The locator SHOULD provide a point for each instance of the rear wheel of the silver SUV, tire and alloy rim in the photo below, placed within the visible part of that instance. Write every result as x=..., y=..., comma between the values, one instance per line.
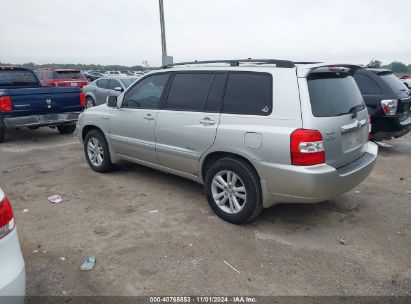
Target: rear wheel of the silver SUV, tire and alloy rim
x=233, y=190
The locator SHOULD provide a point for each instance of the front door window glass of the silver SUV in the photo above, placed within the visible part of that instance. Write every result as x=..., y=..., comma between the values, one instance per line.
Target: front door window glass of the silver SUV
x=146, y=93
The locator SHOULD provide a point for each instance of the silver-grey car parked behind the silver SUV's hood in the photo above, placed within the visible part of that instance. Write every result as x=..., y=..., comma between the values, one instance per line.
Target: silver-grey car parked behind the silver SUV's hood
x=97, y=91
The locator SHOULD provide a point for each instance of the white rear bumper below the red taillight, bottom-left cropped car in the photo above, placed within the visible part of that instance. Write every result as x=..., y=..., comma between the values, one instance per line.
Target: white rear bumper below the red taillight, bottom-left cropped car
x=12, y=274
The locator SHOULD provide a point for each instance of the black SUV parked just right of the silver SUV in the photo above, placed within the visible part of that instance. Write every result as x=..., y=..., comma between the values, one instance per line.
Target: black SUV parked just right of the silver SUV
x=388, y=102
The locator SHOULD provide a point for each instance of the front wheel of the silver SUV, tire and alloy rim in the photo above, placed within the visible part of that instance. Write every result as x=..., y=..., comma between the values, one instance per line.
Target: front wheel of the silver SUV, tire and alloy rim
x=97, y=152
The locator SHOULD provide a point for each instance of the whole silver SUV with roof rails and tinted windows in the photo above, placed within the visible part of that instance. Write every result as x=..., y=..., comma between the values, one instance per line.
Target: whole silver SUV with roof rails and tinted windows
x=254, y=132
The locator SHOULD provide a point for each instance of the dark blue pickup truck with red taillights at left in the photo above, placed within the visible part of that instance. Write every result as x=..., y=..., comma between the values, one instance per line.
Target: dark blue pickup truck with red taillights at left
x=25, y=103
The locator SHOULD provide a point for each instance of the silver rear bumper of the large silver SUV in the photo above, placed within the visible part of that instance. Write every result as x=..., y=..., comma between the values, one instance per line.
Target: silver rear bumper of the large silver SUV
x=312, y=184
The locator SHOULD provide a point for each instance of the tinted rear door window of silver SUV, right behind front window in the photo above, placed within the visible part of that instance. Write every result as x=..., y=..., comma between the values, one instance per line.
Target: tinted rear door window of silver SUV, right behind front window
x=189, y=91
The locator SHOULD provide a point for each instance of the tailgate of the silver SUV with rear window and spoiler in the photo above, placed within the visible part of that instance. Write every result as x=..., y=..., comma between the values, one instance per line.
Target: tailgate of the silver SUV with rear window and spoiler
x=332, y=104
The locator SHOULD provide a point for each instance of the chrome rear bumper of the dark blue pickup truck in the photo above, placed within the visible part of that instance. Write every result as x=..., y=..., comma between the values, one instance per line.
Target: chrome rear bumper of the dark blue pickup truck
x=41, y=120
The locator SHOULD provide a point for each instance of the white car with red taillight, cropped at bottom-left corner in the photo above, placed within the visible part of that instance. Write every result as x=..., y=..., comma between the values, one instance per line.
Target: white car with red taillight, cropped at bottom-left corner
x=12, y=274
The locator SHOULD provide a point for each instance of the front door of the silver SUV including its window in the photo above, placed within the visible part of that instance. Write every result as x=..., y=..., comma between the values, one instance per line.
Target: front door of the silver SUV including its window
x=132, y=125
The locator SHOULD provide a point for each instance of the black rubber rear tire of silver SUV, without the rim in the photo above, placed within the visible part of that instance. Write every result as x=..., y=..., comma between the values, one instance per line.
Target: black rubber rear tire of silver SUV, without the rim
x=252, y=205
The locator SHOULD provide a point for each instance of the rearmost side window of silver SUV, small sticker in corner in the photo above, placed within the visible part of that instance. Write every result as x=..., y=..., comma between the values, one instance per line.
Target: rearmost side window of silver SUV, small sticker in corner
x=248, y=93
